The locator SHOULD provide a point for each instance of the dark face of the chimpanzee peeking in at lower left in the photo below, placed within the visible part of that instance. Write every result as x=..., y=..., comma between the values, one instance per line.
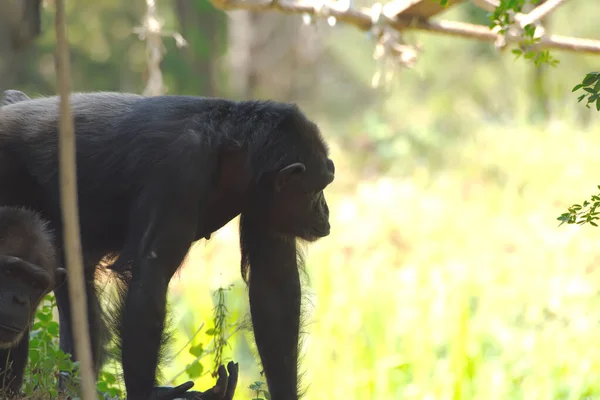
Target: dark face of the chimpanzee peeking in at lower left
x=22, y=286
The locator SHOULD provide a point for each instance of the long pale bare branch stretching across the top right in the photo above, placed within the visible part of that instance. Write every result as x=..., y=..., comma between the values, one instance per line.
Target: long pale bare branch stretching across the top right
x=362, y=20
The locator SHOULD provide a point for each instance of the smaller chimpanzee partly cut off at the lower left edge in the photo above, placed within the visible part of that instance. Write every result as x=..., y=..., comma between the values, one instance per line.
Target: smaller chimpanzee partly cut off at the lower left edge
x=28, y=271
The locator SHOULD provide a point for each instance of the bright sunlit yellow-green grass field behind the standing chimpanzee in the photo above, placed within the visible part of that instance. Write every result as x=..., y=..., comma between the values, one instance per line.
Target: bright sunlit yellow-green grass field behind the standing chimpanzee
x=455, y=284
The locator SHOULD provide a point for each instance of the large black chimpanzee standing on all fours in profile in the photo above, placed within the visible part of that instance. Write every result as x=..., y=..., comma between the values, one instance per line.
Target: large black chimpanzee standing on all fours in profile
x=156, y=174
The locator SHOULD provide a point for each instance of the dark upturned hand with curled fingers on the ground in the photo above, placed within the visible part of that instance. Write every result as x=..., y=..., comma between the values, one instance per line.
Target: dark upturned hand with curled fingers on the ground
x=223, y=390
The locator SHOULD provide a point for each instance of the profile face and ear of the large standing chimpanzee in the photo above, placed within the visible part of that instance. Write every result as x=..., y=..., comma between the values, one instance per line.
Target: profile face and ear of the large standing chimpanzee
x=298, y=207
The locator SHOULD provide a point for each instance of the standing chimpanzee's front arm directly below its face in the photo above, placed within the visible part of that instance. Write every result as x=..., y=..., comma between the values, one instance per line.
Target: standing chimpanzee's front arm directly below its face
x=275, y=297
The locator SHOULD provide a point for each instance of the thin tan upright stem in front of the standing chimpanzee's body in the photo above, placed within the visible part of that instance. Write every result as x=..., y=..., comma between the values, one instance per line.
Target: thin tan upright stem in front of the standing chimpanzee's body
x=70, y=213
